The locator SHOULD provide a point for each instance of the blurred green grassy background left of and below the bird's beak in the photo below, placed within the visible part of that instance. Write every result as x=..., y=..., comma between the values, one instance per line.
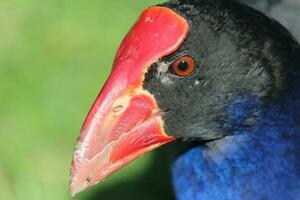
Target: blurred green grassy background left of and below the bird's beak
x=54, y=57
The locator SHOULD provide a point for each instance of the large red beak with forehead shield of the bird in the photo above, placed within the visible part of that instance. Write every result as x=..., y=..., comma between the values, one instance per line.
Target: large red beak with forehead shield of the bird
x=125, y=121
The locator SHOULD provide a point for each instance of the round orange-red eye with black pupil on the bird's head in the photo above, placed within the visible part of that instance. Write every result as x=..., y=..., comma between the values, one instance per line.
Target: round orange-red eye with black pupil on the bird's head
x=184, y=66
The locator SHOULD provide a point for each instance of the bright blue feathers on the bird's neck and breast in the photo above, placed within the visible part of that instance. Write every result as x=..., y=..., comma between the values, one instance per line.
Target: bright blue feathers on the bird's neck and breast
x=261, y=162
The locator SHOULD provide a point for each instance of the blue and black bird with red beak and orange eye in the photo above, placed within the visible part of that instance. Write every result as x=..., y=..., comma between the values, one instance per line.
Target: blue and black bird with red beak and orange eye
x=217, y=74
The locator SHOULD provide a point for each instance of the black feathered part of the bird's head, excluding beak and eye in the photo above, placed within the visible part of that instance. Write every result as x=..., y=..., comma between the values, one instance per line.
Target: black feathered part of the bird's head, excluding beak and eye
x=239, y=52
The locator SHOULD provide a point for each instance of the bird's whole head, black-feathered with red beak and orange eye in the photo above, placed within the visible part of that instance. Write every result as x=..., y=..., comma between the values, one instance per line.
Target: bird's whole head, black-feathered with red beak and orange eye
x=186, y=70
